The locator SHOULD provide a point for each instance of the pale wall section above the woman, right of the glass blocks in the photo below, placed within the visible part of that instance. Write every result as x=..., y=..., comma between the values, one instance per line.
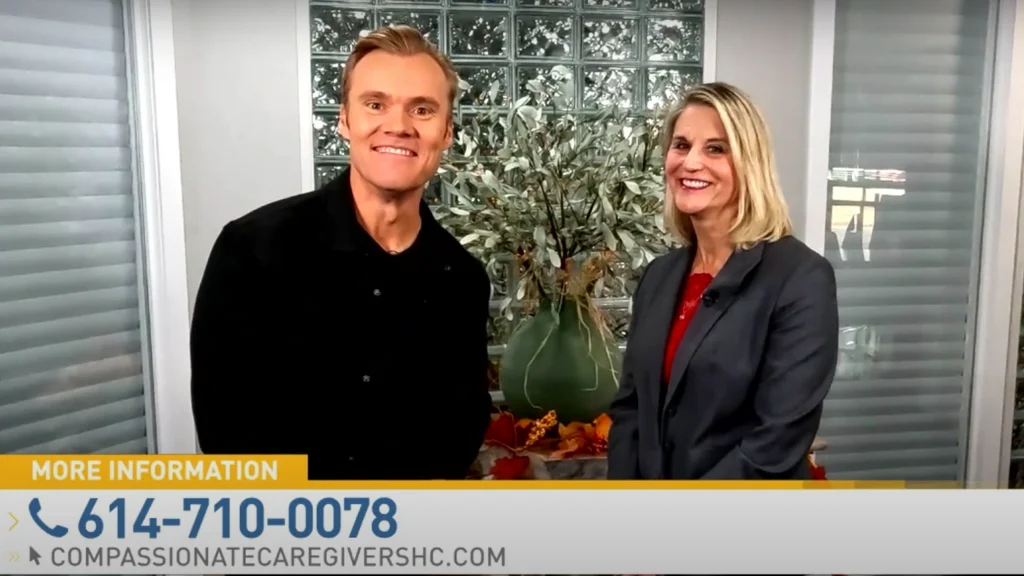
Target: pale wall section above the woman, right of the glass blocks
x=764, y=48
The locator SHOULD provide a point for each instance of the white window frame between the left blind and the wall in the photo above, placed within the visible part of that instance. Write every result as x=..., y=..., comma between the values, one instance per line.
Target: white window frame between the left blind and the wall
x=150, y=32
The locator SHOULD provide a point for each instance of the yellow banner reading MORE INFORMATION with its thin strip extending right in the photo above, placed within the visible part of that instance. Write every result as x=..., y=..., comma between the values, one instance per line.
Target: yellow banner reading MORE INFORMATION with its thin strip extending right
x=282, y=473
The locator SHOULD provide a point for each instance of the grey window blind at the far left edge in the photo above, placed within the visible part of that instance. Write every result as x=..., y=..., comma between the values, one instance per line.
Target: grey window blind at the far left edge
x=71, y=348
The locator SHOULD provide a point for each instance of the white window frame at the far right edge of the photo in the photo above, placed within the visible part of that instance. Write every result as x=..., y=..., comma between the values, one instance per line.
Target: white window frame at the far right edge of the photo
x=999, y=314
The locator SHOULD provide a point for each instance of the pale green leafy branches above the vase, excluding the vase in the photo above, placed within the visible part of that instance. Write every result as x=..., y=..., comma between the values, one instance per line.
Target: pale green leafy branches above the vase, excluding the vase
x=575, y=198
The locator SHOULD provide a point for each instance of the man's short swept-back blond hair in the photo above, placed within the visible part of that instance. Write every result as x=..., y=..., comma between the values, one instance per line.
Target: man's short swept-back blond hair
x=403, y=42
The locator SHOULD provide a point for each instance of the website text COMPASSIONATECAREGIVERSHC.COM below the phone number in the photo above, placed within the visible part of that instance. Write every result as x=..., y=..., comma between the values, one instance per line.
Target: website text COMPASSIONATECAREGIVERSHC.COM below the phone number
x=277, y=557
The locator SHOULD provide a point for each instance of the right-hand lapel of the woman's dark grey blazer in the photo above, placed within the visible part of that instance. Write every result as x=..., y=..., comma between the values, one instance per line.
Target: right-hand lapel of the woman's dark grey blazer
x=722, y=293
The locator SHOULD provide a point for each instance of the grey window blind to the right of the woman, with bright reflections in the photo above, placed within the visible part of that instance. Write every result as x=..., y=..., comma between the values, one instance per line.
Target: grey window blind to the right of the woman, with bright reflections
x=907, y=158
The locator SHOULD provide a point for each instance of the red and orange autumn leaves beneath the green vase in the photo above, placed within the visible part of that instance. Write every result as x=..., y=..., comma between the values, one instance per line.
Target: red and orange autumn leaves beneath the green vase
x=518, y=448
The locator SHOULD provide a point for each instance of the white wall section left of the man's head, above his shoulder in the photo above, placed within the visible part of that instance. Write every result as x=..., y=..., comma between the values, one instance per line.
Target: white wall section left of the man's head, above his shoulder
x=238, y=87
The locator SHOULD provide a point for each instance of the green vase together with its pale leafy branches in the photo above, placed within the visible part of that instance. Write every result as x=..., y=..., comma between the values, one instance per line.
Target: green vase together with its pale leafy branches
x=575, y=200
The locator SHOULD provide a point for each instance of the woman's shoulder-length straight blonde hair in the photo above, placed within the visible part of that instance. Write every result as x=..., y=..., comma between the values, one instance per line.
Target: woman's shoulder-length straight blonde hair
x=761, y=210
